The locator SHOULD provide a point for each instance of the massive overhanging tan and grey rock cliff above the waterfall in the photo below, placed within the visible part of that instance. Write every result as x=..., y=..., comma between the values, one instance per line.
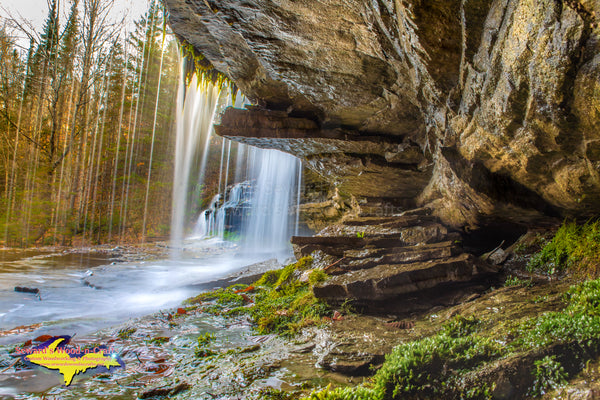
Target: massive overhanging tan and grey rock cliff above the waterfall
x=474, y=107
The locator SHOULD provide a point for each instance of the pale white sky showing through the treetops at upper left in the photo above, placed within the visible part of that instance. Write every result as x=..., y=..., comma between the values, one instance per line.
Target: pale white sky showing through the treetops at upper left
x=35, y=11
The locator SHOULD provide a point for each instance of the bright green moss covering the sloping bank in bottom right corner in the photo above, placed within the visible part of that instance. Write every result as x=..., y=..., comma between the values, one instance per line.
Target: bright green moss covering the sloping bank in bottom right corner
x=434, y=367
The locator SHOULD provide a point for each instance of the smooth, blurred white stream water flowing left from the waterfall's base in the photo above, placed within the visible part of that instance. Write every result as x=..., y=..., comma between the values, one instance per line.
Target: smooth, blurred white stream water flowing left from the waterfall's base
x=112, y=294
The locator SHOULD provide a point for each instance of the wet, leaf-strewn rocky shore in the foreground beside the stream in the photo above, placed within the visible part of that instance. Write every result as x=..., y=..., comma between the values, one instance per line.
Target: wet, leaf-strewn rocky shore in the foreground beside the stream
x=212, y=348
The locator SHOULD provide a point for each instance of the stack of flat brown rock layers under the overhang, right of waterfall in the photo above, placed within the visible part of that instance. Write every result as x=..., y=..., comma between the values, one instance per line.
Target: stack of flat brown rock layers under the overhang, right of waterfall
x=396, y=264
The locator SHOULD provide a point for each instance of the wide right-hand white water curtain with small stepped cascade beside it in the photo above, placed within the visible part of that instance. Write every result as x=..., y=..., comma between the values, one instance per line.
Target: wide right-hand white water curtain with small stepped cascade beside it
x=261, y=210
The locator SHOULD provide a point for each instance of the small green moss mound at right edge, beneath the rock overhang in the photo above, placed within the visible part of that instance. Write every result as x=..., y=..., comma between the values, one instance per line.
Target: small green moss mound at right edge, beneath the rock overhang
x=574, y=247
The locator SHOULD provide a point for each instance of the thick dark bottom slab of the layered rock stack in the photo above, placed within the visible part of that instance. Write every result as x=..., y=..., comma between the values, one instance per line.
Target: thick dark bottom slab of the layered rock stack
x=388, y=281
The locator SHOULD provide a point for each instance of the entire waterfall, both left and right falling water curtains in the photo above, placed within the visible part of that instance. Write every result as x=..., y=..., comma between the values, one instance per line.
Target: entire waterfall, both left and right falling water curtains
x=255, y=207
